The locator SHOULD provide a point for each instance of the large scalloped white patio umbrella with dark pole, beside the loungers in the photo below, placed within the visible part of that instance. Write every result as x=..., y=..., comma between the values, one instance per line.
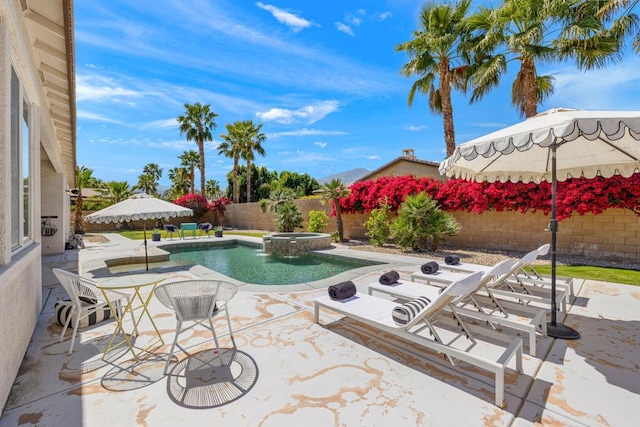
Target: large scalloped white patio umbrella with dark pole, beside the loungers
x=554, y=145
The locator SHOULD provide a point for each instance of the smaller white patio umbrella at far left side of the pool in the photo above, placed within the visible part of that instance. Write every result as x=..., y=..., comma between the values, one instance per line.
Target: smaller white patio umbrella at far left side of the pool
x=139, y=206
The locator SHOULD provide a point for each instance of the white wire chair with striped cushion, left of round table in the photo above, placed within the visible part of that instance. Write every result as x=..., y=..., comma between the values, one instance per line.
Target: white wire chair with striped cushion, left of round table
x=86, y=299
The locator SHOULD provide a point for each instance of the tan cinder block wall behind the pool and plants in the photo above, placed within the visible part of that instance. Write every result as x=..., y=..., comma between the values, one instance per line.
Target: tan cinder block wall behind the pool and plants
x=612, y=234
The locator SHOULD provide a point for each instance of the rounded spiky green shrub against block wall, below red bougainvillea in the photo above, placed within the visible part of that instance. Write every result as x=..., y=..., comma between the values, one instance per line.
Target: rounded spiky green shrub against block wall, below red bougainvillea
x=421, y=224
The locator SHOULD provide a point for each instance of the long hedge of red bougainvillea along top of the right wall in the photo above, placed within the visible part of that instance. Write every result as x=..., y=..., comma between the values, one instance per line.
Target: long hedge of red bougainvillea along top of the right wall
x=577, y=195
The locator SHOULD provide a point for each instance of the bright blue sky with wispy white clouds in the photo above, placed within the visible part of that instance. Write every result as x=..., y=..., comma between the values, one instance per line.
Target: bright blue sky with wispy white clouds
x=322, y=77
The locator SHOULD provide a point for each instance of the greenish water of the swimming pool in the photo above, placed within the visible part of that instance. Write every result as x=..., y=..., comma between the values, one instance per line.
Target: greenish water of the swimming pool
x=250, y=265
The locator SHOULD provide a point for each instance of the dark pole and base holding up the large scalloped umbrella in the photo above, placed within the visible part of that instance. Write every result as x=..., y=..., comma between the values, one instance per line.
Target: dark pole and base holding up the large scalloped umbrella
x=554, y=329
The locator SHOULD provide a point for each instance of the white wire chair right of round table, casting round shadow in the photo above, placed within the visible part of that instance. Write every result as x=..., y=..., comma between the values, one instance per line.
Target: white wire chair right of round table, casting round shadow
x=197, y=301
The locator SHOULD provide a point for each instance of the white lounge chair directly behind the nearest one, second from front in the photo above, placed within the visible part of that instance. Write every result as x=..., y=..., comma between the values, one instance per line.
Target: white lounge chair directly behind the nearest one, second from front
x=529, y=324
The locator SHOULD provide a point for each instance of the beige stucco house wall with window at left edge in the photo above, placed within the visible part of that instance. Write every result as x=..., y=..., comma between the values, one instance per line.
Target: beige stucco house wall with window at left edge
x=21, y=257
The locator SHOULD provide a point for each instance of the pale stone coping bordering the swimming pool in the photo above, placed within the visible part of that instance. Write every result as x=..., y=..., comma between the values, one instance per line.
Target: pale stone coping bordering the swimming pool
x=100, y=267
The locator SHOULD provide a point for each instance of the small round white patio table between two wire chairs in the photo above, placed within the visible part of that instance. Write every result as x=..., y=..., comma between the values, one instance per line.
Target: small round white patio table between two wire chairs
x=137, y=302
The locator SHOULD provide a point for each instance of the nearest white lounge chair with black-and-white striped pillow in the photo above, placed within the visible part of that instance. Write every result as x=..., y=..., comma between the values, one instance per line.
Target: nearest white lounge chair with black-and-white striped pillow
x=377, y=312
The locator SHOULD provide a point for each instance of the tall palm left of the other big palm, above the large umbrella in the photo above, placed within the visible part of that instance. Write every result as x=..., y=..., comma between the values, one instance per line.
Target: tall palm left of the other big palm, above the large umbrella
x=437, y=54
